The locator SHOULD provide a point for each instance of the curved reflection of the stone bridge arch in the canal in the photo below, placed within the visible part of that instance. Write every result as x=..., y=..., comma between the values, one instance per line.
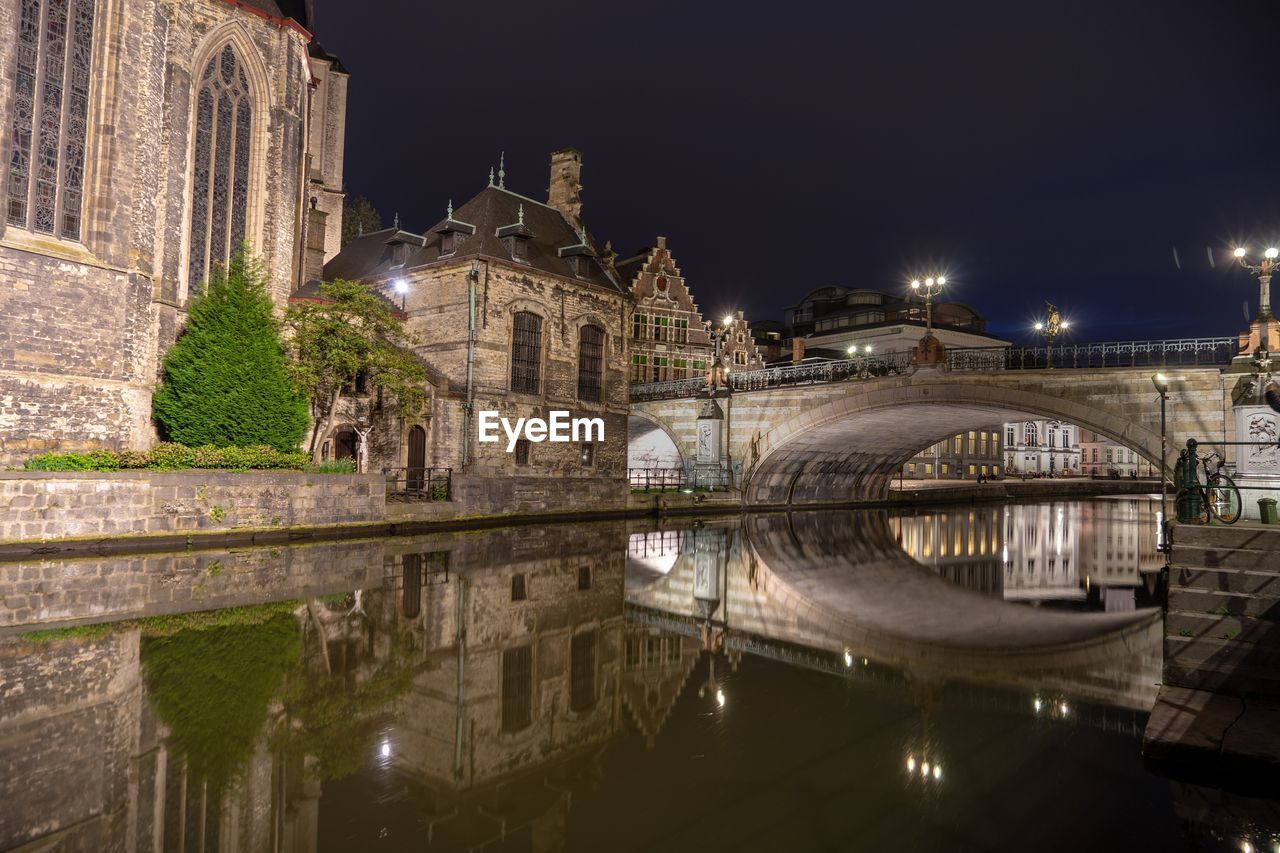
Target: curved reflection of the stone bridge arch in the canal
x=839, y=582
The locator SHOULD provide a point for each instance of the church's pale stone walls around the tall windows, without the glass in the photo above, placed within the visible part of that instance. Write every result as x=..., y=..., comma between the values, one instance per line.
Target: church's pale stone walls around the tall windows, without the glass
x=89, y=312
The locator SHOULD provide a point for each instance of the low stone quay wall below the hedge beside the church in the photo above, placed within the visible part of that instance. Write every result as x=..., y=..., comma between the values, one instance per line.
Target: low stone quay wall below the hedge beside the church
x=40, y=505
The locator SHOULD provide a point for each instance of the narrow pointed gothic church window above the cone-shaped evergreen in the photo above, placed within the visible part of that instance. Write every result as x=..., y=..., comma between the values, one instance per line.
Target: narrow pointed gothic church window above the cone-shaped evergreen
x=220, y=199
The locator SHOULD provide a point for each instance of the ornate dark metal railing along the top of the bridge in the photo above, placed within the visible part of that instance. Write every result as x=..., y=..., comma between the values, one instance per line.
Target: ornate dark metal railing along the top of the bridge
x=1117, y=354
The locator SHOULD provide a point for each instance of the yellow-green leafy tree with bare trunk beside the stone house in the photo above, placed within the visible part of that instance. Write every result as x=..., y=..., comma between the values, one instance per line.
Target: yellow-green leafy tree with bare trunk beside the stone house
x=350, y=334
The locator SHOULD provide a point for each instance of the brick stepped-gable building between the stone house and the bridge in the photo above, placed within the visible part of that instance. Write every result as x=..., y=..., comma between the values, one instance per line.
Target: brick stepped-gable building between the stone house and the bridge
x=670, y=339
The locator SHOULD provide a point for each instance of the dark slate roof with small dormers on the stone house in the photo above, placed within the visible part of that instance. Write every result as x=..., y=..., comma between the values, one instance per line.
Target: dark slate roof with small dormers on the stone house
x=373, y=257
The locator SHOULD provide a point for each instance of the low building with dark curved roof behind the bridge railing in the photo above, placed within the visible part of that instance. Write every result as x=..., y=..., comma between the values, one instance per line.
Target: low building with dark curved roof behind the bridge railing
x=834, y=318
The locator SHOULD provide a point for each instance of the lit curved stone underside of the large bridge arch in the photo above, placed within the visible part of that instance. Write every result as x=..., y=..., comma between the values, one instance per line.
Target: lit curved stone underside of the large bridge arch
x=851, y=446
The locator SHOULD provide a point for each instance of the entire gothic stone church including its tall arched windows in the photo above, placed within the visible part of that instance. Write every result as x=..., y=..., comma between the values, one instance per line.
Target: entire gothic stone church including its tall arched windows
x=140, y=143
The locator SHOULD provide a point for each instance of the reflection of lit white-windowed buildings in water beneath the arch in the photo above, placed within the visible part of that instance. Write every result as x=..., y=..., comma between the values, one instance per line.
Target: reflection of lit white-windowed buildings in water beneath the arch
x=1100, y=555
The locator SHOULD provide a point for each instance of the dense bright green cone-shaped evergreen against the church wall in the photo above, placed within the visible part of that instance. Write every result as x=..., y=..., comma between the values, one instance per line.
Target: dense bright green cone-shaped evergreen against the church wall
x=226, y=380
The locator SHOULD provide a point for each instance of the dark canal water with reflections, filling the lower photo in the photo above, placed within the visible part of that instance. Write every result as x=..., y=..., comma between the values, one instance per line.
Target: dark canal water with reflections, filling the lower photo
x=967, y=678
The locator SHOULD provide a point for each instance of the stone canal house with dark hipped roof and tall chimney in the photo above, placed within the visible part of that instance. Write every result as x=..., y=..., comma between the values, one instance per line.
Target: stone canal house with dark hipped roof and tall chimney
x=515, y=311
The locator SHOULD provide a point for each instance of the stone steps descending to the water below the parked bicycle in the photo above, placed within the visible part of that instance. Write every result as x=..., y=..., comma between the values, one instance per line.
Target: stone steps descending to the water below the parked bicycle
x=1223, y=627
